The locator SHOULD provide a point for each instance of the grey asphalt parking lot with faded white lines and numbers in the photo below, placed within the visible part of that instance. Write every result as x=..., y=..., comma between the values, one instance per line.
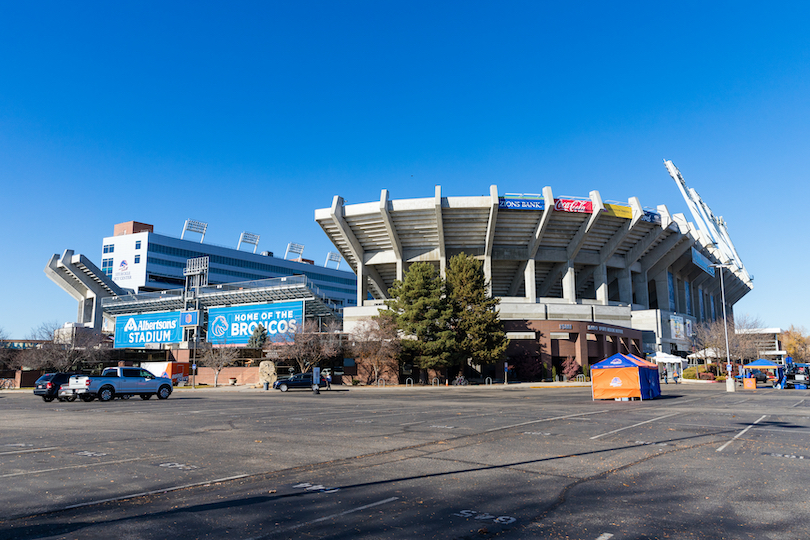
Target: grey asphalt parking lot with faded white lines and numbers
x=470, y=462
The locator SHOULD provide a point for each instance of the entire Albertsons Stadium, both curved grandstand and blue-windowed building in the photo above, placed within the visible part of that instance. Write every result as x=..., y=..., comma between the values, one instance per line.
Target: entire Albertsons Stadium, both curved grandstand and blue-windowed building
x=577, y=277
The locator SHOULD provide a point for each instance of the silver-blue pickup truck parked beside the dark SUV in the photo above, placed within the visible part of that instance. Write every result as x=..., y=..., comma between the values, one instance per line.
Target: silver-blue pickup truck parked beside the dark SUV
x=117, y=382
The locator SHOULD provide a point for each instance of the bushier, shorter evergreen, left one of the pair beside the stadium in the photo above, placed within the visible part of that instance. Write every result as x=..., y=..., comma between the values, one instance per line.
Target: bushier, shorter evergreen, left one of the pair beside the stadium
x=423, y=313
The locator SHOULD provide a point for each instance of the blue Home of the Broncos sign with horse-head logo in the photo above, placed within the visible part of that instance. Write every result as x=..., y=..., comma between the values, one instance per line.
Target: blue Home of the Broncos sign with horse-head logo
x=235, y=325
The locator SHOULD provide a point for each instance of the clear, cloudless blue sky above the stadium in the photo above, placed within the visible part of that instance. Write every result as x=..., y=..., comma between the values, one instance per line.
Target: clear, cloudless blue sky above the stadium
x=250, y=115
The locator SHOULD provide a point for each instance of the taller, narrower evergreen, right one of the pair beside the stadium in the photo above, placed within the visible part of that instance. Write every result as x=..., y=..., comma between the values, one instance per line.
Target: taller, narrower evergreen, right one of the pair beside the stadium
x=479, y=330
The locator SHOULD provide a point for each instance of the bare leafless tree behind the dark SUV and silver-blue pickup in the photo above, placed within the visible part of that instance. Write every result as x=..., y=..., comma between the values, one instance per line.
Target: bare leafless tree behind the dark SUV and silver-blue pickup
x=63, y=348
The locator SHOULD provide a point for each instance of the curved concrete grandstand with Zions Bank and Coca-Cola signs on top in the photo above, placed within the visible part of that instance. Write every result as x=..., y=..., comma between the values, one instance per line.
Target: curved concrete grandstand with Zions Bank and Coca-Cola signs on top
x=577, y=277
